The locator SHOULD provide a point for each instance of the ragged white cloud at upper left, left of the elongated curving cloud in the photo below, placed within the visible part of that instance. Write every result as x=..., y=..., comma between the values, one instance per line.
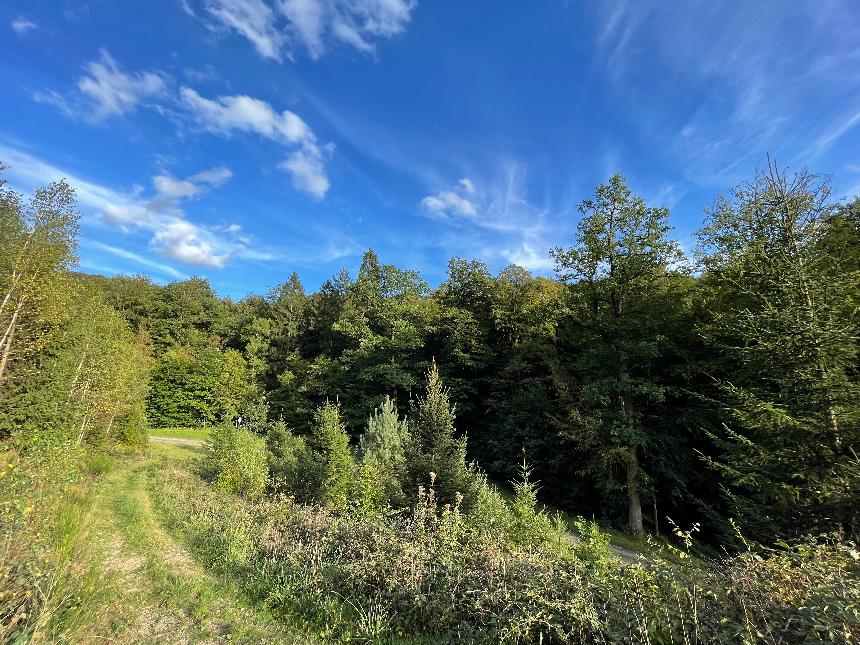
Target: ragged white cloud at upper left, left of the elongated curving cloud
x=105, y=90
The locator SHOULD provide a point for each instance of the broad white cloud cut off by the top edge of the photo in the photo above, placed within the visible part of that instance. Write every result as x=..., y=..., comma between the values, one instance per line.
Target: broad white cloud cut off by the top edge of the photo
x=310, y=24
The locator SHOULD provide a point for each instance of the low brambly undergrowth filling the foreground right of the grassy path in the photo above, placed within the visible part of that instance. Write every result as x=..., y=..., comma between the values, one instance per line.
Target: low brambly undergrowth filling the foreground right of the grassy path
x=439, y=573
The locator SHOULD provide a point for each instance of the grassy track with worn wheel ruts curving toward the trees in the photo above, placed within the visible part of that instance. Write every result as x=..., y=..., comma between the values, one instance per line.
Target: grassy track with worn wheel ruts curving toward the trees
x=161, y=594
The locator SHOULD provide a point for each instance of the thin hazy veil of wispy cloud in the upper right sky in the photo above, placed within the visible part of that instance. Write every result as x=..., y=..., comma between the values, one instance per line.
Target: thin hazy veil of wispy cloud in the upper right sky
x=704, y=80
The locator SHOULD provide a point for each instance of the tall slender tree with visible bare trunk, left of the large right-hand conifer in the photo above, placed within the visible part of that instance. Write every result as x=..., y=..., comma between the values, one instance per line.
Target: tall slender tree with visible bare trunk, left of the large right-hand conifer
x=620, y=270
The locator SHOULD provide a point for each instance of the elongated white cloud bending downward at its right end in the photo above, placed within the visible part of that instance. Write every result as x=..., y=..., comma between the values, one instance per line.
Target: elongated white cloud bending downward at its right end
x=226, y=114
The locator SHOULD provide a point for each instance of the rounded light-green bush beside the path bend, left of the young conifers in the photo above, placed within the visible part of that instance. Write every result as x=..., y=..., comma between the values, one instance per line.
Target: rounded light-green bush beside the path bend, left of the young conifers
x=238, y=460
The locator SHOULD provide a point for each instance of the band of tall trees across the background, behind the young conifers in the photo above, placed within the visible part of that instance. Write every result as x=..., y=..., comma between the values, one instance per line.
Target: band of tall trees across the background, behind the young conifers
x=638, y=383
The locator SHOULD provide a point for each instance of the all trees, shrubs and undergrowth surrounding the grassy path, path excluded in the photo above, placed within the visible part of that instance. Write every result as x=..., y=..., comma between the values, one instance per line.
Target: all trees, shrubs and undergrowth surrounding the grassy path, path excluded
x=421, y=455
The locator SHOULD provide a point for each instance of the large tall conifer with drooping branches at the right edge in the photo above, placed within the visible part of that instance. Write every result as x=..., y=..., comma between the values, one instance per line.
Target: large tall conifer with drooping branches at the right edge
x=783, y=300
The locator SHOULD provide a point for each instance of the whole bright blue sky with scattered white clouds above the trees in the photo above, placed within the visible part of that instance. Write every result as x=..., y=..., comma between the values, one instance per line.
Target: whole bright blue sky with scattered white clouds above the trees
x=244, y=139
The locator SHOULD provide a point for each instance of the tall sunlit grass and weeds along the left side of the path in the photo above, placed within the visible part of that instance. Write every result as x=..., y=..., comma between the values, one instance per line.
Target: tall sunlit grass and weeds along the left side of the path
x=51, y=587
